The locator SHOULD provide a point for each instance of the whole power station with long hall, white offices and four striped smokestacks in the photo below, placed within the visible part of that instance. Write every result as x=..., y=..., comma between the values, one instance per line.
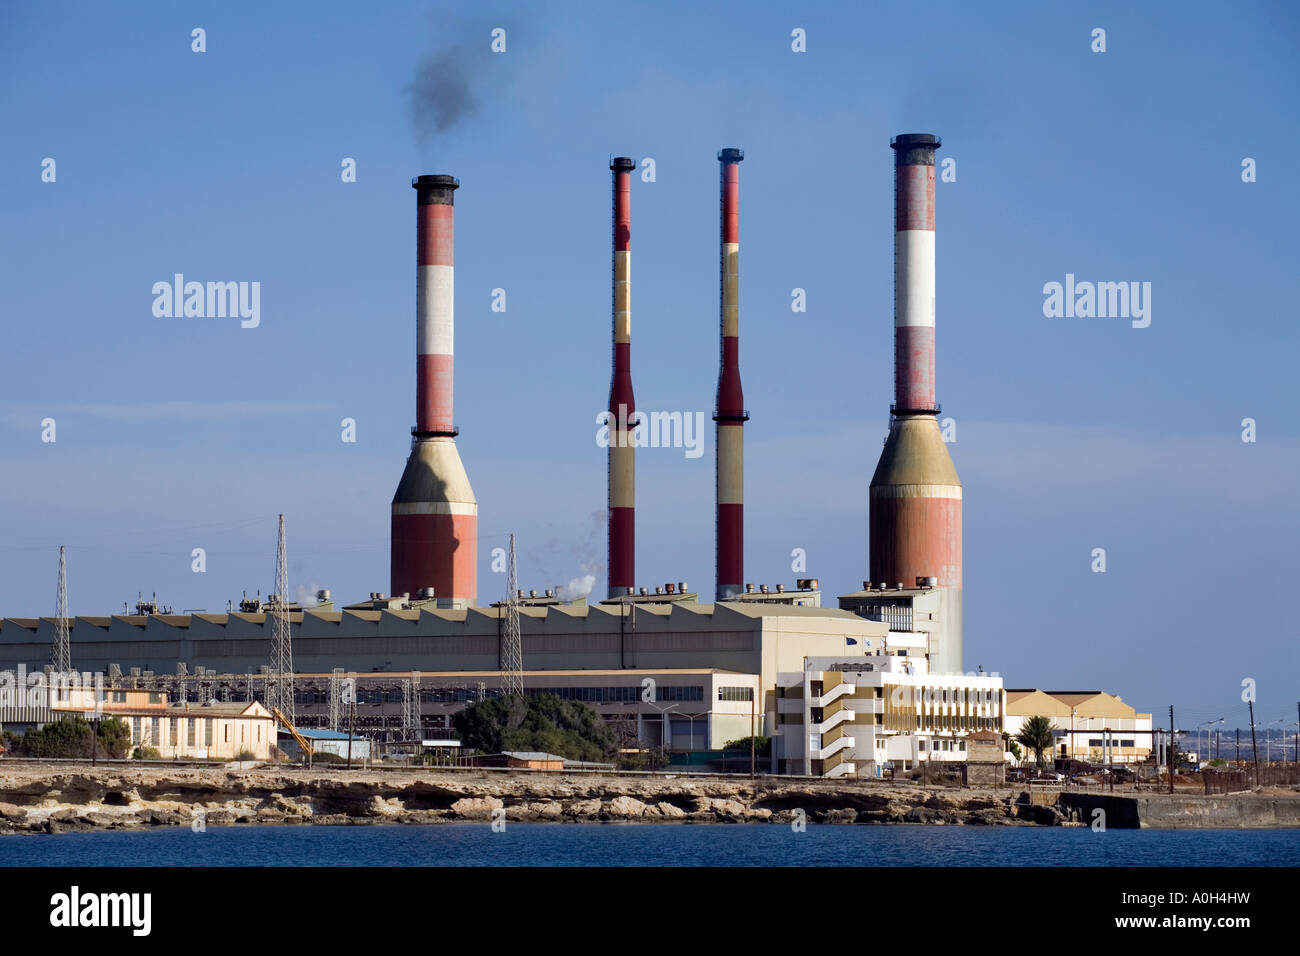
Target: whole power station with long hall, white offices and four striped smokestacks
x=840, y=690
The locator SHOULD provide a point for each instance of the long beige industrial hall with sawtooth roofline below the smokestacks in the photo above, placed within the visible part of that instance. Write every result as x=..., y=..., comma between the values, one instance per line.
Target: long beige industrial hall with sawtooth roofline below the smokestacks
x=682, y=674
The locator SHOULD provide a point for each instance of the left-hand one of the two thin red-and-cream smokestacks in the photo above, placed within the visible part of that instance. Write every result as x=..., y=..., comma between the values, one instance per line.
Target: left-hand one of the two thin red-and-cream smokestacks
x=623, y=477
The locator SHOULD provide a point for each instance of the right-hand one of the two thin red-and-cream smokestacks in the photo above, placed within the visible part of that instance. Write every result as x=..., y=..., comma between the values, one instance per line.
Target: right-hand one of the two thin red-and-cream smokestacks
x=730, y=413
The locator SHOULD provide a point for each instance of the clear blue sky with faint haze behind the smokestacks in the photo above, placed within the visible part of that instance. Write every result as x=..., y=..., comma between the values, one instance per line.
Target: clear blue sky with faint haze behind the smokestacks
x=1072, y=434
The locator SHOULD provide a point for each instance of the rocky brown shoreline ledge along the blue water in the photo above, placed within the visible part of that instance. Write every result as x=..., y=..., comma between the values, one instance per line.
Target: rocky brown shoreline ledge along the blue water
x=58, y=799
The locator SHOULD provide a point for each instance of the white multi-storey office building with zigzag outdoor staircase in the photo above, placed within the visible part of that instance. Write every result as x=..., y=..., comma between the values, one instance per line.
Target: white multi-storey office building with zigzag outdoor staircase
x=853, y=716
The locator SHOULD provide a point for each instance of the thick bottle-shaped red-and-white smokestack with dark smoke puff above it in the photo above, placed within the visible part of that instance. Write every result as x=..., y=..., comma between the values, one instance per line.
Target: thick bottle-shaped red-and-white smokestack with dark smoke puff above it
x=435, y=511
